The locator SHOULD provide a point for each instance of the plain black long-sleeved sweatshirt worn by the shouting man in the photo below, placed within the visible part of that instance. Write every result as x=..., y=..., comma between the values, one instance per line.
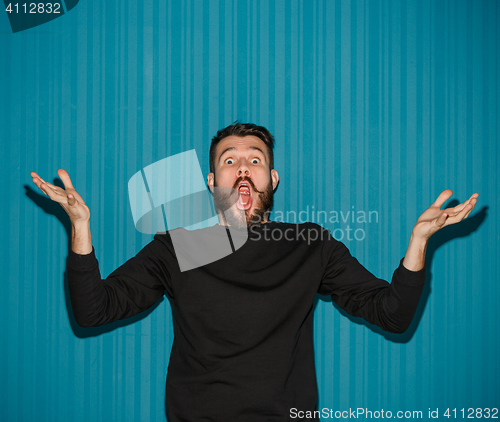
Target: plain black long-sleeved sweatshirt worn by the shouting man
x=243, y=325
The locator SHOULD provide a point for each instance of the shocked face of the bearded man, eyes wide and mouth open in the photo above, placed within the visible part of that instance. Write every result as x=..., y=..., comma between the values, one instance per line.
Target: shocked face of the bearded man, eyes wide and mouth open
x=243, y=164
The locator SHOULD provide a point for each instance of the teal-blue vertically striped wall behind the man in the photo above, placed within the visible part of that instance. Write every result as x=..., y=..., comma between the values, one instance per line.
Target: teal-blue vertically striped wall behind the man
x=375, y=106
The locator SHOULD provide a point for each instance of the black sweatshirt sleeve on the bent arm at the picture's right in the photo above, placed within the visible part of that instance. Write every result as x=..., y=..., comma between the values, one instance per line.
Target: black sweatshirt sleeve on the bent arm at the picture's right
x=391, y=306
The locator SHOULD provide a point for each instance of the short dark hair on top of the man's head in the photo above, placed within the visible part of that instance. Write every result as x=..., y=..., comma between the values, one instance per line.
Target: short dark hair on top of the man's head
x=241, y=130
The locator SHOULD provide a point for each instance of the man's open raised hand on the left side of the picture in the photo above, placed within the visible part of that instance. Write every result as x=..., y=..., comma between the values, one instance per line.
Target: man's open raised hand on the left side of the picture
x=69, y=198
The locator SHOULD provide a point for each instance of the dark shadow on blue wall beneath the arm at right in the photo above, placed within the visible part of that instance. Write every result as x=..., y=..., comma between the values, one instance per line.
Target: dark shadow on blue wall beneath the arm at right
x=445, y=235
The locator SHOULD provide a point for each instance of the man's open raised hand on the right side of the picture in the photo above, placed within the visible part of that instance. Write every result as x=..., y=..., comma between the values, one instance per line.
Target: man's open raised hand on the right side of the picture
x=434, y=218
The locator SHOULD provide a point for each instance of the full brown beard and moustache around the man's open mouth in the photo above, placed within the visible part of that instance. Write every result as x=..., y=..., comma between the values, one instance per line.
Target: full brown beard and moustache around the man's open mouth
x=225, y=203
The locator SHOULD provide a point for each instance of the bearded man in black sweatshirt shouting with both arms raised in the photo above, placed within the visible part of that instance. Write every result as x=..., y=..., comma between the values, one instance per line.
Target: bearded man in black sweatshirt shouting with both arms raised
x=243, y=347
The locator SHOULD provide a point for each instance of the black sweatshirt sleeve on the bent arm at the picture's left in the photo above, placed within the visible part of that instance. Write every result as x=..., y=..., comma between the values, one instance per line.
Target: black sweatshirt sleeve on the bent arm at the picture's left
x=132, y=288
